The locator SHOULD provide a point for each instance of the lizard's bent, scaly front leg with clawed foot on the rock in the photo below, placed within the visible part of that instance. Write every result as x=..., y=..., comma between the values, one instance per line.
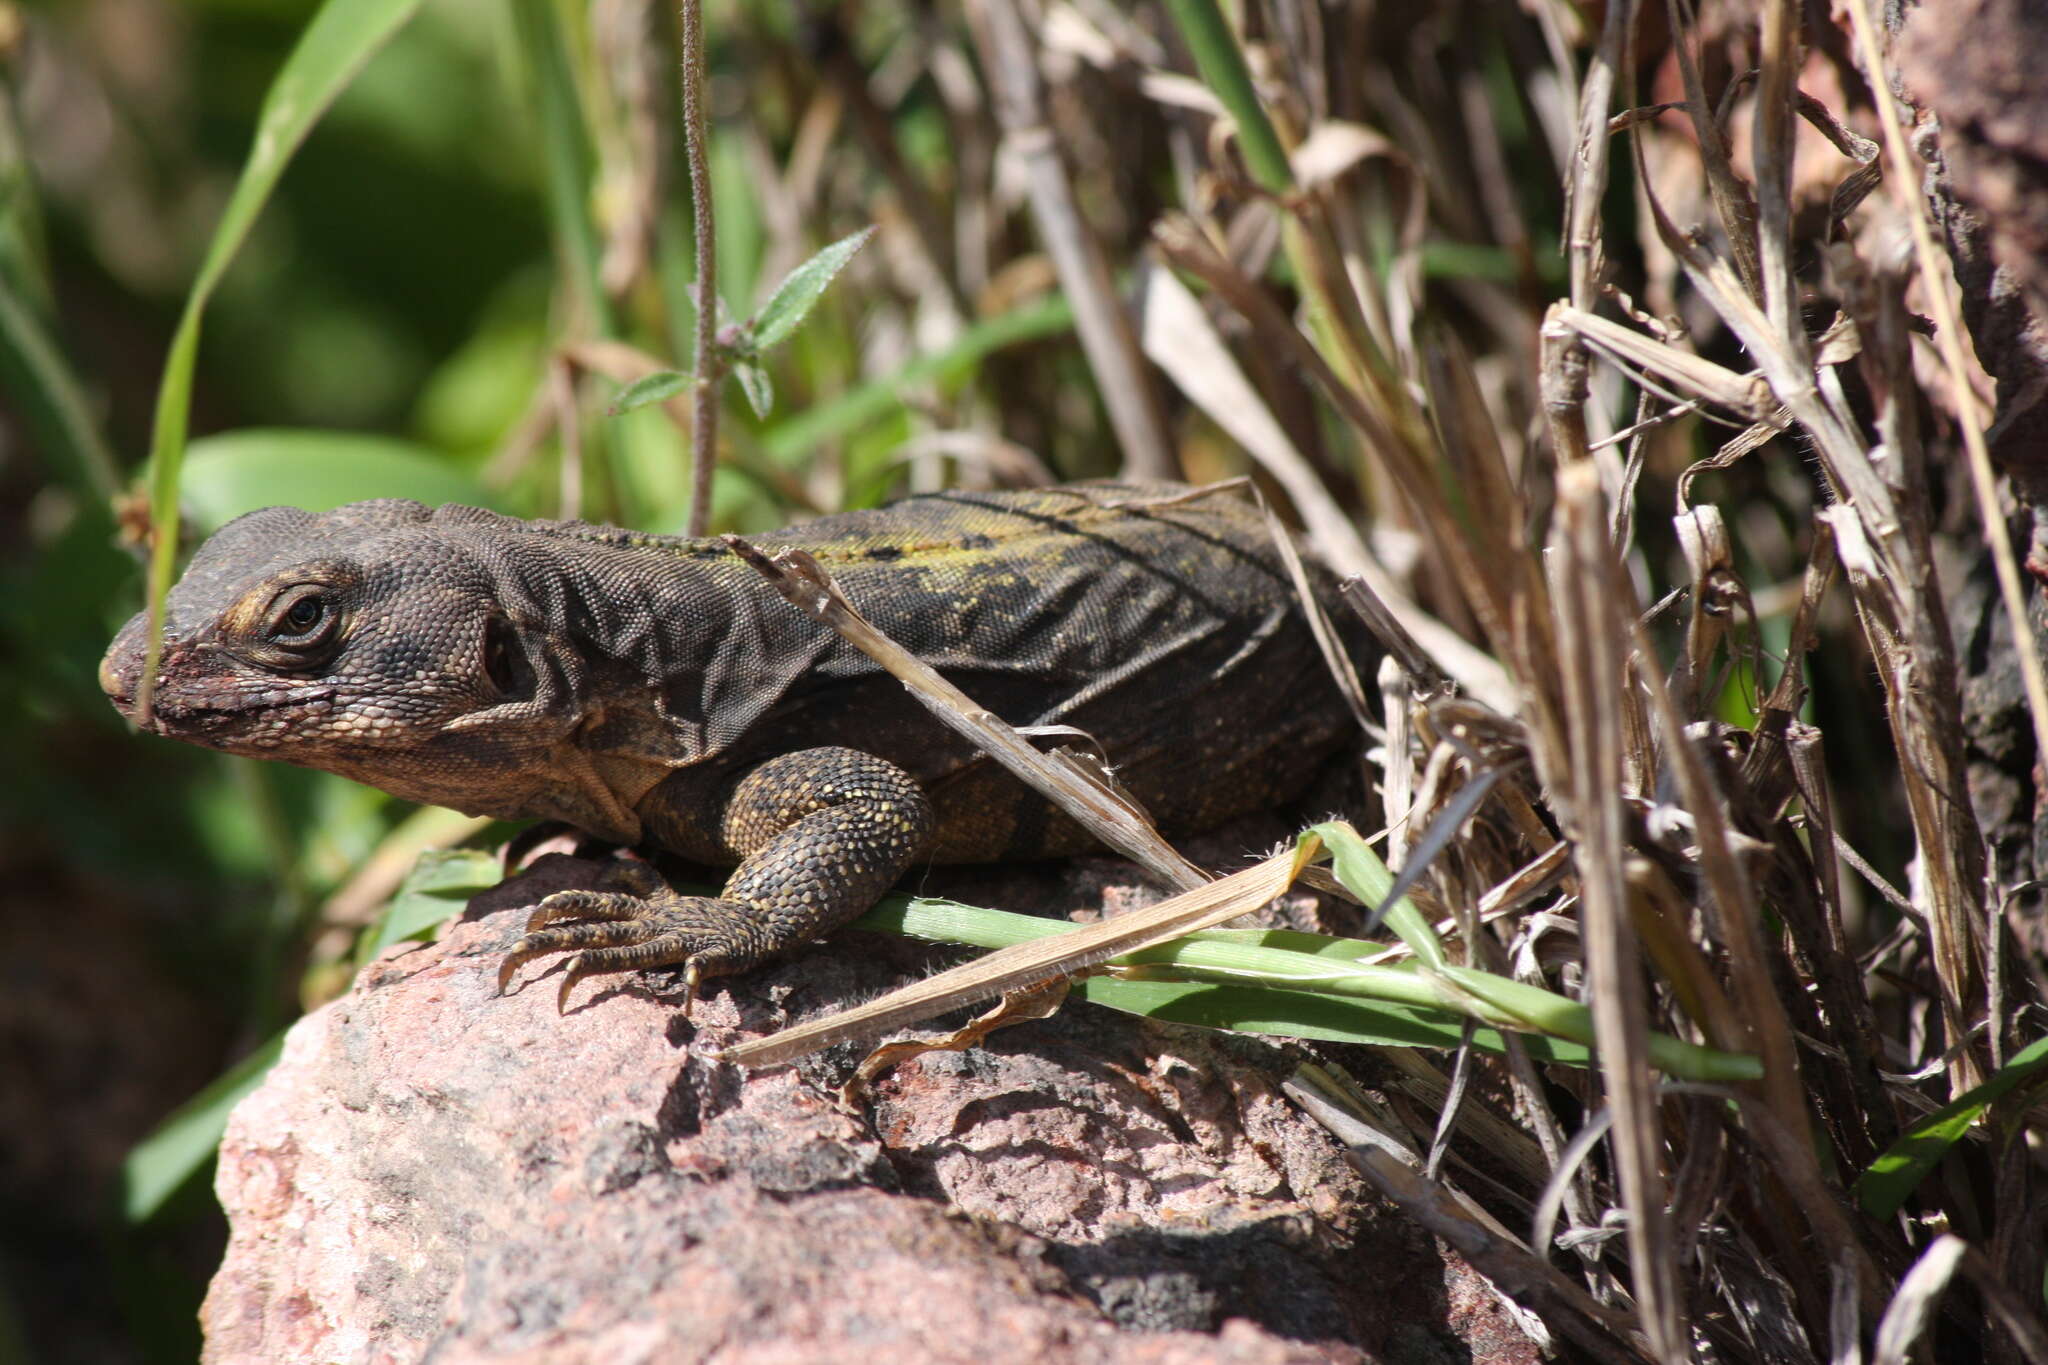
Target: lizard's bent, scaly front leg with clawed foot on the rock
x=822, y=834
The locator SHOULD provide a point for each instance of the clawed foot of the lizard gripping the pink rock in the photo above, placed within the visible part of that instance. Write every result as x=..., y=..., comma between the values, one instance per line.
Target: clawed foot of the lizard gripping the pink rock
x=620, y=932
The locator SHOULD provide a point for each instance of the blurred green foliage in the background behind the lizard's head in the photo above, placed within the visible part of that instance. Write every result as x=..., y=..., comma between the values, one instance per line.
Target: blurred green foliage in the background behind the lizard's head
x=396, y=324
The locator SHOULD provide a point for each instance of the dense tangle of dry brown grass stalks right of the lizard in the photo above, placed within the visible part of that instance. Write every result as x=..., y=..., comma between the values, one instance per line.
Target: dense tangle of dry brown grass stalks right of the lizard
x=1641, y=531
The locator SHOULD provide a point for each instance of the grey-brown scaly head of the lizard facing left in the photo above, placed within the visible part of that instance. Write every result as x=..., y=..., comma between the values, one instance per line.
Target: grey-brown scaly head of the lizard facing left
x=361, y=642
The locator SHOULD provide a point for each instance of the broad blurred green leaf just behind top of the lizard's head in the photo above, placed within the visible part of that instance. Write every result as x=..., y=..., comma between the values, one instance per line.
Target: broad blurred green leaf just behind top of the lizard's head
x=267, y=468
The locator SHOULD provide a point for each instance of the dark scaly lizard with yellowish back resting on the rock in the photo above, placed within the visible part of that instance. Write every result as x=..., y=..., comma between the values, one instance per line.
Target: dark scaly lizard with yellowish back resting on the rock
x=654, y=691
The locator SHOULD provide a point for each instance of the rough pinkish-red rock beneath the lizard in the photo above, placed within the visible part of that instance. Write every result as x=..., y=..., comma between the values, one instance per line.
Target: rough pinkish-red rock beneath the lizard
x=435, y=1172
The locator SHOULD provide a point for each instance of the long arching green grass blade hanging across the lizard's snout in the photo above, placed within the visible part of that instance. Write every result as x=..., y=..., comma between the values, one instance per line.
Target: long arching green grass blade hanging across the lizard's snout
x=341, y=40
